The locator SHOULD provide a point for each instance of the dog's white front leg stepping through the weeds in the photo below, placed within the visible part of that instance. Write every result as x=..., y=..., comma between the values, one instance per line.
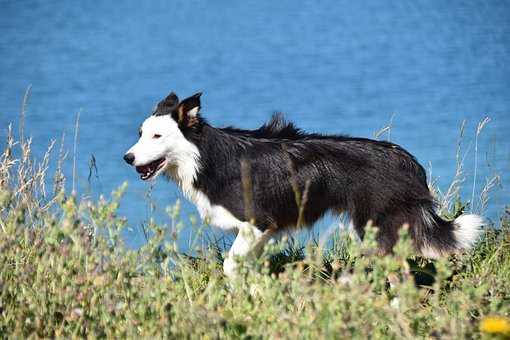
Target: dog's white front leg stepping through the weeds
x=249, y=242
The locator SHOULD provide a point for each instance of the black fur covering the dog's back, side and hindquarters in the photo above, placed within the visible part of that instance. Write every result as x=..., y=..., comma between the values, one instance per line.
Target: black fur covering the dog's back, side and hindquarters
x=367, y=179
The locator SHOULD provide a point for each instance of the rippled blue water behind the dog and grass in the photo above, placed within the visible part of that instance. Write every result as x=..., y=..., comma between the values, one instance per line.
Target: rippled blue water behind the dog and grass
x=331, y=66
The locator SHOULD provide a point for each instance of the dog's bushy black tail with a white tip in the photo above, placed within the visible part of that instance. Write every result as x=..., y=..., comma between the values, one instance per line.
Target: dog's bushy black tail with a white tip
x=437, y=237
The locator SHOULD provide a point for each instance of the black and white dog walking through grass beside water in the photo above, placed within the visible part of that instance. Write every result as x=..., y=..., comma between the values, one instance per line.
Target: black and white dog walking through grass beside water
x=366, y=179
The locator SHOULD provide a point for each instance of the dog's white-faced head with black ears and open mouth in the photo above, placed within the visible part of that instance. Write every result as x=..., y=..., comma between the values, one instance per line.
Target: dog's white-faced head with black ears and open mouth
x=162, y=141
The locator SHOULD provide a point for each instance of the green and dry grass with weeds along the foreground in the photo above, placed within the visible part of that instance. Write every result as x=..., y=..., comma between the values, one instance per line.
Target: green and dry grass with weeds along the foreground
x=66, y=273
